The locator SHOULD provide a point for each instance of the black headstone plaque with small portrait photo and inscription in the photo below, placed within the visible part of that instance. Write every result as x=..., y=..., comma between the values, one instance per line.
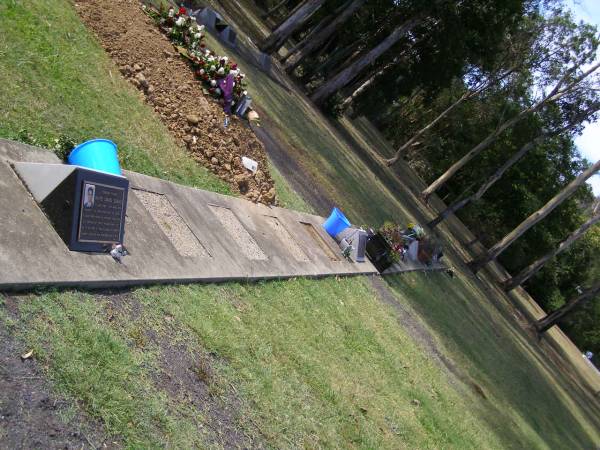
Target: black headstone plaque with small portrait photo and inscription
x=88, y=210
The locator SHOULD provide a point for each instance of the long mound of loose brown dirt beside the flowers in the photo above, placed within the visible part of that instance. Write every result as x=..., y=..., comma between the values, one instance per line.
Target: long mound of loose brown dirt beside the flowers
x=150, y=62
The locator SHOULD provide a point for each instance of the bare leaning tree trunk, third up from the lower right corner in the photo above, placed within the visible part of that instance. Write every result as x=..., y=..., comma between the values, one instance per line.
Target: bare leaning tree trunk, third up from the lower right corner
x=536, y=217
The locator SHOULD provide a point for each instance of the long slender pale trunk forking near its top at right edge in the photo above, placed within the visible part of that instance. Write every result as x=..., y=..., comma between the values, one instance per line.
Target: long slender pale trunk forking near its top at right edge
x=557, y=92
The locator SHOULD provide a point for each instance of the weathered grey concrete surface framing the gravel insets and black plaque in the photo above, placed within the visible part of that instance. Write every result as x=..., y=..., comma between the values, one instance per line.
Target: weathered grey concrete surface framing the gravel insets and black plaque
x=32, y=253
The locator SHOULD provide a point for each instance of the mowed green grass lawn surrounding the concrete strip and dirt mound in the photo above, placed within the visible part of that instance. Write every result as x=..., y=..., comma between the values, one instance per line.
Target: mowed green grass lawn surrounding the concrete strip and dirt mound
x=306, y=363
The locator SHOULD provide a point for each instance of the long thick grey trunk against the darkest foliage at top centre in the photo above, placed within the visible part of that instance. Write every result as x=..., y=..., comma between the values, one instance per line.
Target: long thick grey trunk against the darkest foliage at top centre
x=349, y=73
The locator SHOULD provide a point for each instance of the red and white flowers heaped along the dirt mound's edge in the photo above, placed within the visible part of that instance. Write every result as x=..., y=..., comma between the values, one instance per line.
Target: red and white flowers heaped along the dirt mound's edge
x=211, y=69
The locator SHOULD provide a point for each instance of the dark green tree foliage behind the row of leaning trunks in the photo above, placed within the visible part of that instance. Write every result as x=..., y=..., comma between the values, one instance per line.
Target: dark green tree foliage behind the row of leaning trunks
x=520, y=71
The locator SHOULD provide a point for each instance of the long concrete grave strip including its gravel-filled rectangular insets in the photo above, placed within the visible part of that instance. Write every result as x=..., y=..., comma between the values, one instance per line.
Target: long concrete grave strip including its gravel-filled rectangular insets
x=172, y=233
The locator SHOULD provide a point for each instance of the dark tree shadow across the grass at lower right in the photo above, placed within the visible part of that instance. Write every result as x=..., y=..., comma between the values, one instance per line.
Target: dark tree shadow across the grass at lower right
x=498, y=356
